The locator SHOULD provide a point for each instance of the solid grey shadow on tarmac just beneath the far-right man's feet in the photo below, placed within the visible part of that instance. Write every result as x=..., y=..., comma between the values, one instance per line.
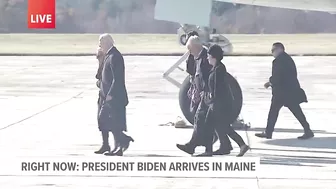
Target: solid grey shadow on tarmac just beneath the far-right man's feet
x=317, y=142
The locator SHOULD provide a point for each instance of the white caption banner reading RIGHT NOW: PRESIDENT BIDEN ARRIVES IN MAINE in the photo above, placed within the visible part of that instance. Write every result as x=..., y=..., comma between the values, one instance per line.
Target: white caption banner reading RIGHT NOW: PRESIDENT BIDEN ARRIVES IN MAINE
x=134, y=166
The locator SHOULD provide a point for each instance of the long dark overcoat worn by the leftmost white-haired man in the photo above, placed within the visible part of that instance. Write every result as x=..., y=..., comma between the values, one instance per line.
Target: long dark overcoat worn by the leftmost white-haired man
x=113, y=112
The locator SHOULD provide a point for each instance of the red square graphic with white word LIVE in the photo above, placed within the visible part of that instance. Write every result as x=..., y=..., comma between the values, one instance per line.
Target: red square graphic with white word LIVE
x=41, y=14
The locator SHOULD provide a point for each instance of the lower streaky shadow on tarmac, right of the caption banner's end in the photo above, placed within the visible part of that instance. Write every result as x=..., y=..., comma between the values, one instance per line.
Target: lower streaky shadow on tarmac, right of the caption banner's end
x=308, y=161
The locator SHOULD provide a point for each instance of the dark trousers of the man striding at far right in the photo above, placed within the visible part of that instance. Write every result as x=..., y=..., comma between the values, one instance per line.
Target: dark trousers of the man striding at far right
x=273, y=114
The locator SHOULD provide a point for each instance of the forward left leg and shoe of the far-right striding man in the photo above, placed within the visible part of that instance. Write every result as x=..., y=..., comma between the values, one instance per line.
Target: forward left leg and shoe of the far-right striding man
x=271, y=120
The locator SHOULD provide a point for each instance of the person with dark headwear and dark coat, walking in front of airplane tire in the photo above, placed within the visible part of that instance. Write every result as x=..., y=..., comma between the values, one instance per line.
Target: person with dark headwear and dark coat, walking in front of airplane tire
x=220, y=102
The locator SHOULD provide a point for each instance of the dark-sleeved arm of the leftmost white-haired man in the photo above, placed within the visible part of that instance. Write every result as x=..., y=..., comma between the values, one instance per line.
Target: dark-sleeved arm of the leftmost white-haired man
x=117, y=70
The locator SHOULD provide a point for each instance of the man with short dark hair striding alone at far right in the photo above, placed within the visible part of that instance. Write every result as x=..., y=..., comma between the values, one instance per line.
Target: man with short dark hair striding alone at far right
x=286, y=91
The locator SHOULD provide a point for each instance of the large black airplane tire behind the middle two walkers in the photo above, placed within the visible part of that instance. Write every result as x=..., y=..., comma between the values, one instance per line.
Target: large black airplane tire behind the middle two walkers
x=184, y=100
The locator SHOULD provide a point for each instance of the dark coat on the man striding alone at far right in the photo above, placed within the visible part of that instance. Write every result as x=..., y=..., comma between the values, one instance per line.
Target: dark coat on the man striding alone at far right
x=286, y=88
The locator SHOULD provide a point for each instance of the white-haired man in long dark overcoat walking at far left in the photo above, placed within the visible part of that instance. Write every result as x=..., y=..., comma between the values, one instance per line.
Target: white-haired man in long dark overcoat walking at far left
x=113, y=99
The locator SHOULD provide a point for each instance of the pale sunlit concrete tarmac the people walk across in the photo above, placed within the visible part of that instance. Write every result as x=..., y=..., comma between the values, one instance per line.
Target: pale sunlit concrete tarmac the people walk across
x=48, y=108
